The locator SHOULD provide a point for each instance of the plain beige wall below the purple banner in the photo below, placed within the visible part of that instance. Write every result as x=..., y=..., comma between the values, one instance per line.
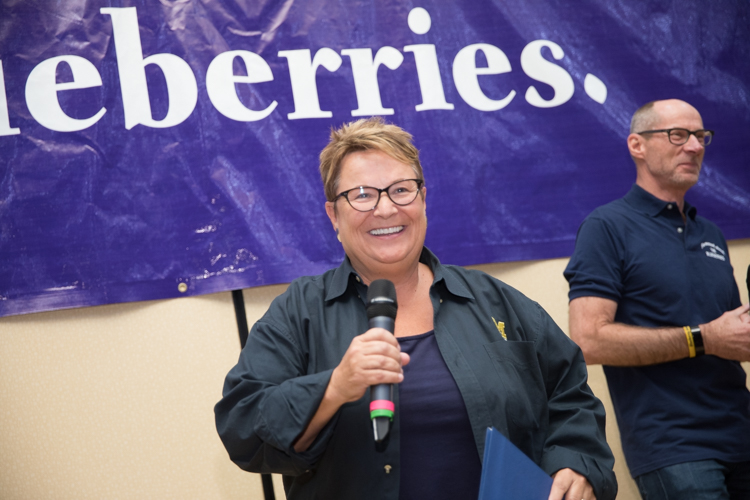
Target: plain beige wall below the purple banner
x=116, y=402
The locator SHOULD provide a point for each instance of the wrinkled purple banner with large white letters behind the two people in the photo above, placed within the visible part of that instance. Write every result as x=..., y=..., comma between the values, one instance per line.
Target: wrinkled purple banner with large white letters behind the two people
x=162, y=149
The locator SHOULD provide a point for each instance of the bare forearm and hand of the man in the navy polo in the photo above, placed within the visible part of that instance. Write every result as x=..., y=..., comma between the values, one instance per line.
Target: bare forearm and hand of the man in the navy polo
x=603, y=341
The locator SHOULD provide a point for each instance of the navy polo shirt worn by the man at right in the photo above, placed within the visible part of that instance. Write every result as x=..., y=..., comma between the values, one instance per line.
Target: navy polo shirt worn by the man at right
x=663, y=271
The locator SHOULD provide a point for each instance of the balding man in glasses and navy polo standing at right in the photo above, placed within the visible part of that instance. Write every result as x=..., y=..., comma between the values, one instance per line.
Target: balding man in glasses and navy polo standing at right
x=653, y=299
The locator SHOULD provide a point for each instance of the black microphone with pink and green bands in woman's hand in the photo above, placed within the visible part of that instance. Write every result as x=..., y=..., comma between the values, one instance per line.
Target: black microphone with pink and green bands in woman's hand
x=381, y=313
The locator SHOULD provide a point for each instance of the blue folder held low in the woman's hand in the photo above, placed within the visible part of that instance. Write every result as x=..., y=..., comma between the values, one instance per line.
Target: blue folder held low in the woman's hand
x=508, y=474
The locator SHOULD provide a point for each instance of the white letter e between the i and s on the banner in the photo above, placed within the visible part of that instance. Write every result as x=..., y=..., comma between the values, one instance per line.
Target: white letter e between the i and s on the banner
x=465, y=74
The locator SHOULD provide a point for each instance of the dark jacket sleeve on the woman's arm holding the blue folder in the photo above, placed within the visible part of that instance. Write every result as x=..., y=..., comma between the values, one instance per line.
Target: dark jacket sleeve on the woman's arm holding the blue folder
x=576, y=437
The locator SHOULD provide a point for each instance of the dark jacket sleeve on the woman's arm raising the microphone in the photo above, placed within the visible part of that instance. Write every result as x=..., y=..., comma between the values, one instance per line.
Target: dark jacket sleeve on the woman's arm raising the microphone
x=269, y=398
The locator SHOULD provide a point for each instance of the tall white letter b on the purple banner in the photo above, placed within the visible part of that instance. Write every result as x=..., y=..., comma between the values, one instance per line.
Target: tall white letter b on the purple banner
x=182, y=89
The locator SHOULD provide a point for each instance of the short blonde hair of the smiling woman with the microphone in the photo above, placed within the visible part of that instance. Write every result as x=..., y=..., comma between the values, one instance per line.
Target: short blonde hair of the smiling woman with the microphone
x=365, y=135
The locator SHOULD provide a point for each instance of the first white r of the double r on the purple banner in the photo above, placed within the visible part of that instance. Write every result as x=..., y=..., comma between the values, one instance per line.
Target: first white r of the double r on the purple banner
x=304, y=86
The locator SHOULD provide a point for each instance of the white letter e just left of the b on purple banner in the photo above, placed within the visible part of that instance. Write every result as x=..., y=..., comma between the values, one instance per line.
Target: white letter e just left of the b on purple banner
x=42, y=89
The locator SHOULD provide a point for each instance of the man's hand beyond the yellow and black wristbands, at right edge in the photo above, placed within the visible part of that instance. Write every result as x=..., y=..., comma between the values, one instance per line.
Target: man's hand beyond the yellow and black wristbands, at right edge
x=728, y=336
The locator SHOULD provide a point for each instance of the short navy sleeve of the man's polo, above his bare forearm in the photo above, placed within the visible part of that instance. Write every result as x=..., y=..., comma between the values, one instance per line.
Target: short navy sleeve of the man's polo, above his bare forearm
x=596, y=266
